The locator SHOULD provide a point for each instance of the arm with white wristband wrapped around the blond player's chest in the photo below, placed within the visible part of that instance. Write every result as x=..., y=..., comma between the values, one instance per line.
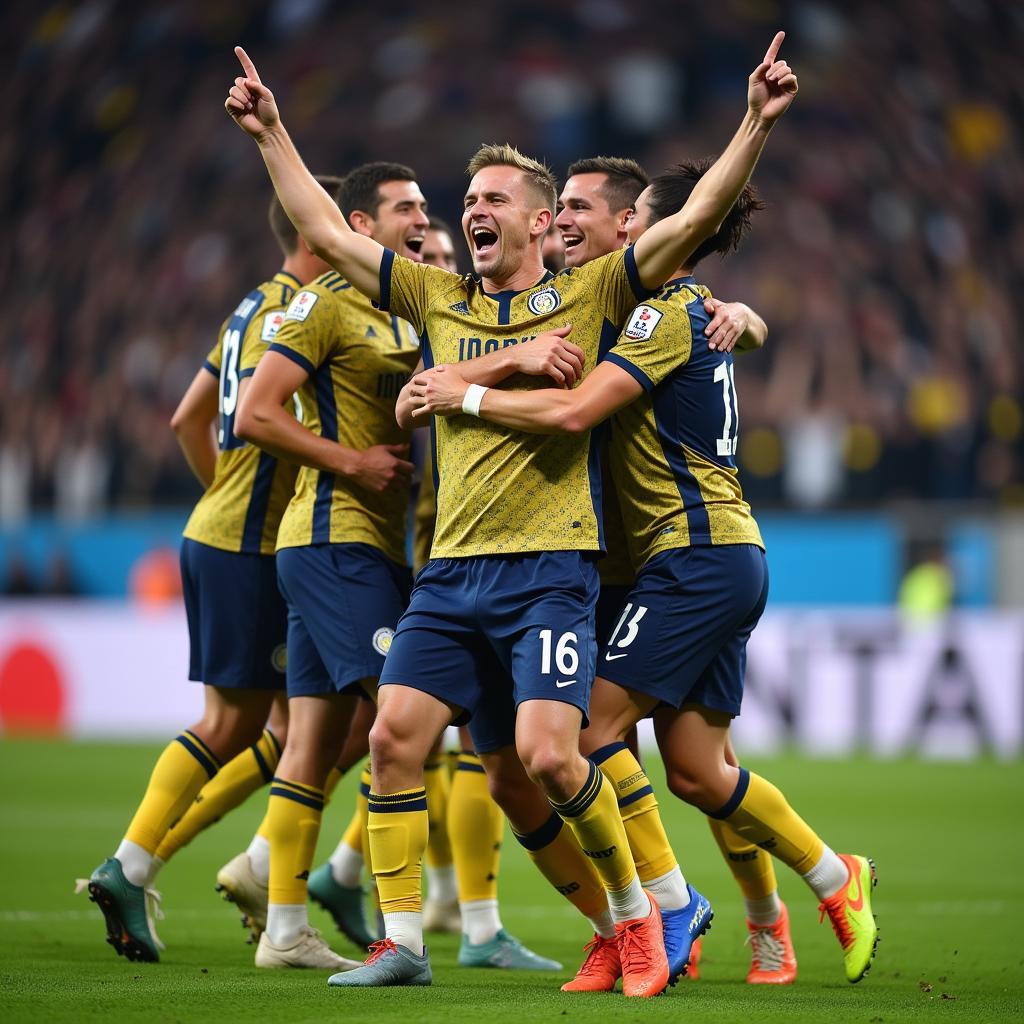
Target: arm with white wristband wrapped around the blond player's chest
x=547, y=411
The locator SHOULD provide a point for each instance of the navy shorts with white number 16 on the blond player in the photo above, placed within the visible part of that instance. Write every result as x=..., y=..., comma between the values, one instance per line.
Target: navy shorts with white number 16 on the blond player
x=488, y=633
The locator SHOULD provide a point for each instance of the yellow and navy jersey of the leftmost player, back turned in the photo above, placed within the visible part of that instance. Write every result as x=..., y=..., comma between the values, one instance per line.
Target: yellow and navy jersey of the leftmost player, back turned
x=242, y=508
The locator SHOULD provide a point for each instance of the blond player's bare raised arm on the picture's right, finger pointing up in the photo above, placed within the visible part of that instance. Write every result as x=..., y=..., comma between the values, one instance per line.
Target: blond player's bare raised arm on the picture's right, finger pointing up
x=667, y=245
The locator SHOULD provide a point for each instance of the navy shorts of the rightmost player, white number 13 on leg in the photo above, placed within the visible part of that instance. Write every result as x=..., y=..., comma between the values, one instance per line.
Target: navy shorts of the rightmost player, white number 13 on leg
x=681, y=635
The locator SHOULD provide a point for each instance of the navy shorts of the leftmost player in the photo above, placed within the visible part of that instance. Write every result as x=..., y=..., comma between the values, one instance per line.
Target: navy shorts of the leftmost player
x=238, y=622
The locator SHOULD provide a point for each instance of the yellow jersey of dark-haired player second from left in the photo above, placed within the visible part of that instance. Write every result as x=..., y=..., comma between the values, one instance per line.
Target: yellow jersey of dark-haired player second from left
x=358, y=359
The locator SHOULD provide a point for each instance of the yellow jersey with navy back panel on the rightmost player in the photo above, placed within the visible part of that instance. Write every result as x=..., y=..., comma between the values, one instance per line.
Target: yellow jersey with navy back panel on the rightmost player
x=673, y=450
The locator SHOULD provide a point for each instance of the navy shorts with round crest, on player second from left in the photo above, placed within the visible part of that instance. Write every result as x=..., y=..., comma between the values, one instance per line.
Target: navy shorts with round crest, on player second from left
x=345, y=602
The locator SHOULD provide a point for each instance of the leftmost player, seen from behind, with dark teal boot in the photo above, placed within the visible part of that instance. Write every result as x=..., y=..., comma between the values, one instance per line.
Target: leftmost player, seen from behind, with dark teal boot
x=237, y=620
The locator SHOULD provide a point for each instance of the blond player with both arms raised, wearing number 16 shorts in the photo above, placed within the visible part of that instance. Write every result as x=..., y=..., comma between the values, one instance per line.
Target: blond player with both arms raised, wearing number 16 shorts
x=511, y=587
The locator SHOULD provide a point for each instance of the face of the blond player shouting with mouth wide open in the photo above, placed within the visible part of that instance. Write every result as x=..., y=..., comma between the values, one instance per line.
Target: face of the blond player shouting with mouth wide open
x=499, y=215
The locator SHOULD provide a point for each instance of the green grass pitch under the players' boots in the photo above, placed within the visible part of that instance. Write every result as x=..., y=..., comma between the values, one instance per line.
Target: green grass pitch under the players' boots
x=948, y=839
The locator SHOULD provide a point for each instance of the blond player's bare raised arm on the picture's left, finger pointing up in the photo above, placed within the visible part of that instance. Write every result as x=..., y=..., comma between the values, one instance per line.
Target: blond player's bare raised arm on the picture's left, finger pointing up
x=311, y=209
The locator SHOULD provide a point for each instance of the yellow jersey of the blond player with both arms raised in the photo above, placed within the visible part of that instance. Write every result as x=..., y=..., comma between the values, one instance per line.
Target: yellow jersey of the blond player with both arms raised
x=499, y=491
